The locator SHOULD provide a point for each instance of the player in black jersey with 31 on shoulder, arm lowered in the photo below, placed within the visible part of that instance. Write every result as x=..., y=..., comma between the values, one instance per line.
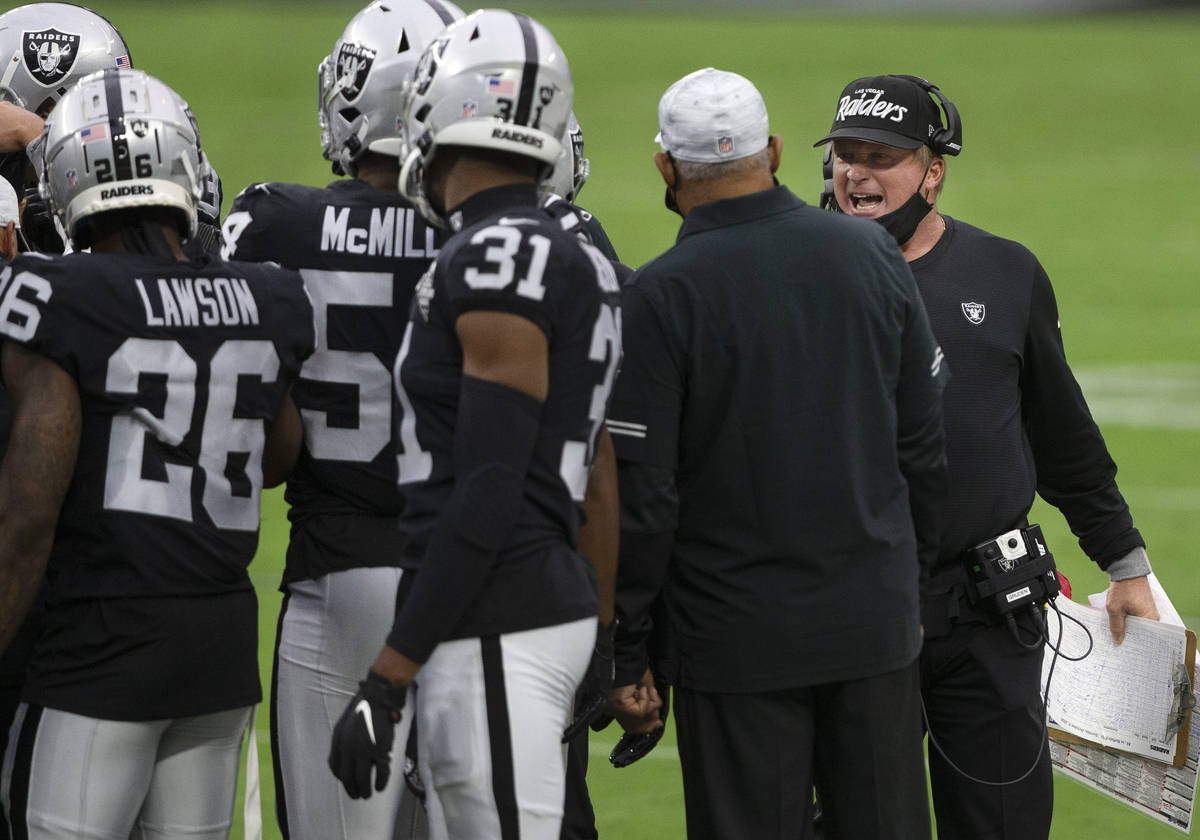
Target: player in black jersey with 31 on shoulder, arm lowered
x=503, y=382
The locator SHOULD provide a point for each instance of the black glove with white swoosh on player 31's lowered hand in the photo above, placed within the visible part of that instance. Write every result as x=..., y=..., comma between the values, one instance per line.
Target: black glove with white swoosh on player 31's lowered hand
x=364, y=734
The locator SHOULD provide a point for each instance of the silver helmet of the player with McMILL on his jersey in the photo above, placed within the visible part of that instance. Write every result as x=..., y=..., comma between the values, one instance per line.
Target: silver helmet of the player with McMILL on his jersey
x=359, y=83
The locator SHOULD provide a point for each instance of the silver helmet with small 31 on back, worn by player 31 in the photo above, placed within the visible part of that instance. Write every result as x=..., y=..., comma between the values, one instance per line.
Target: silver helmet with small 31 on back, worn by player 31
x=494, y=81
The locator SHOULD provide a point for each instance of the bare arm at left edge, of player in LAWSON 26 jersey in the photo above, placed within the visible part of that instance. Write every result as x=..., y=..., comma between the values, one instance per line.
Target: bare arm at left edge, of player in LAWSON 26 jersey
x=34, y=477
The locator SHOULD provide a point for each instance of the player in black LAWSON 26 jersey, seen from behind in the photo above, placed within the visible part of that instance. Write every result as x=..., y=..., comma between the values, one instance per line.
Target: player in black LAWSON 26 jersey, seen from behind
x=151, y=399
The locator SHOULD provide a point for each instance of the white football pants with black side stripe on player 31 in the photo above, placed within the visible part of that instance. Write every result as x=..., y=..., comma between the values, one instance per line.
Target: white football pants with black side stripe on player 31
x=491, y=715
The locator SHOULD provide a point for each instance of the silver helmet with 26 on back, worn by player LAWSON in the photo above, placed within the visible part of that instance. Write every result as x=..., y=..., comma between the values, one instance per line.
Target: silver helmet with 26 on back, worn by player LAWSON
x=121, y=139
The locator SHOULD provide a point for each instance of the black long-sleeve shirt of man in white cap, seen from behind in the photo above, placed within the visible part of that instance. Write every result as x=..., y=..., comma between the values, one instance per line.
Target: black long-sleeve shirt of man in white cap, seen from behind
x=779, y=416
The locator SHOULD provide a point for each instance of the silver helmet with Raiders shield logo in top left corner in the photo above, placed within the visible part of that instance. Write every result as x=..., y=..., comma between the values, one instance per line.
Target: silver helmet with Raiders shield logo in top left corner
x=47, y=47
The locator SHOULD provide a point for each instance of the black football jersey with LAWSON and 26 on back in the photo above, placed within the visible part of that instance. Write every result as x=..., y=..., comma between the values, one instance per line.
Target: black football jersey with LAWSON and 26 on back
x=181, y=368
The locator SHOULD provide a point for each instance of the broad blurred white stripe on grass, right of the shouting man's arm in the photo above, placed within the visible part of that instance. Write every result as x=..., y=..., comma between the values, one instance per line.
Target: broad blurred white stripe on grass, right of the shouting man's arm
x=1160, y=395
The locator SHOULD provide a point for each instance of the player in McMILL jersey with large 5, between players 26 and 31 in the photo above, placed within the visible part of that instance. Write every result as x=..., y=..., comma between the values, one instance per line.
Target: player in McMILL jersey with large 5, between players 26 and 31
x=361, y=248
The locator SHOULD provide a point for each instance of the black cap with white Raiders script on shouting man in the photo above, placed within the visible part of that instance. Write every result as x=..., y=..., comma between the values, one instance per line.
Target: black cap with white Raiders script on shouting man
x=895, y=111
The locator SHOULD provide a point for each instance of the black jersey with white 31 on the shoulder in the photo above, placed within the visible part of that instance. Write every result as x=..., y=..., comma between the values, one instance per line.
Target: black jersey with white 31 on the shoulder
x=512, y=256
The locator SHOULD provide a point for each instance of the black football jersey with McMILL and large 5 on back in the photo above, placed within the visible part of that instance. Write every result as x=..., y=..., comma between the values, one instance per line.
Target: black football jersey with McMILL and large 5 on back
x=361, y=253
